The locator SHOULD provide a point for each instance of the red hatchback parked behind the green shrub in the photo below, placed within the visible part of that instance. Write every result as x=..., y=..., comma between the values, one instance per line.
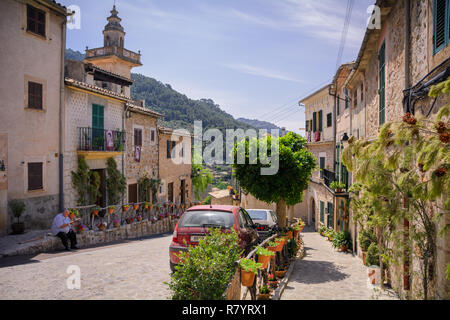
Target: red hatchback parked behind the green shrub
x=195, y=221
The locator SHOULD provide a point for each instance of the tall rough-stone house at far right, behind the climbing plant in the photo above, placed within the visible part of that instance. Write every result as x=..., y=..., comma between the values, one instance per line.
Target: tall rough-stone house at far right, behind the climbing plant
x=392, y=75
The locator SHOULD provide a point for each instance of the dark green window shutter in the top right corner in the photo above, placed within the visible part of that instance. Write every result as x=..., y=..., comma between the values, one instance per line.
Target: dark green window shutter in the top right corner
x=440, y=24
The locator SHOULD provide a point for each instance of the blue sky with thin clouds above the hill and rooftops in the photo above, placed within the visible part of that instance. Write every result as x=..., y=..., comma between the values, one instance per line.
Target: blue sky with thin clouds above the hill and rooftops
x=255, y=58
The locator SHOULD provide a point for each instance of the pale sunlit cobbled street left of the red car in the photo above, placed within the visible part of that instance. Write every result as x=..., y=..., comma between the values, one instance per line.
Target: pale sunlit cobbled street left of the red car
x=127, y=270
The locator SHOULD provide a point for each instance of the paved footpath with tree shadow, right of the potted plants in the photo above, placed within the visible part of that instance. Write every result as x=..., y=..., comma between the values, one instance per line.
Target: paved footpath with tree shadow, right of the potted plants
x=326, y=274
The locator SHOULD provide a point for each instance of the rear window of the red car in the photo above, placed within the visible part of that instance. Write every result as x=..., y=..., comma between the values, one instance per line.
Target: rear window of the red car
x=207, y=219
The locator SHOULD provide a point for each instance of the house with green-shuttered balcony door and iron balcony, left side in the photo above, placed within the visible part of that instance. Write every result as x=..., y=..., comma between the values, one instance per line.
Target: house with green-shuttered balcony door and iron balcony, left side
x=94, y=124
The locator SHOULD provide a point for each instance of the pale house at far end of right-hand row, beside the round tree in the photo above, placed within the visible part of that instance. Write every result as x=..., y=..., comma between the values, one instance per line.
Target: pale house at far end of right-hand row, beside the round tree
x=320, y=128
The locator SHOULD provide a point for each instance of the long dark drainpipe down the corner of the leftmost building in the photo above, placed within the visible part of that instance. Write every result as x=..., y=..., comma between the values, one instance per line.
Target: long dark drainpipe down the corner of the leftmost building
x=61, y=118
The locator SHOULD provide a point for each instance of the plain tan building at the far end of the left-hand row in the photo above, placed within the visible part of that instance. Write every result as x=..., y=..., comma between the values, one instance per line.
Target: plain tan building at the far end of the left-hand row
x=175, y=166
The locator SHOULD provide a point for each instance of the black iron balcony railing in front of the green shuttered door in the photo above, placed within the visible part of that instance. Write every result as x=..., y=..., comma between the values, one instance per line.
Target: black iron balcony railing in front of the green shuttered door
x=91, y=139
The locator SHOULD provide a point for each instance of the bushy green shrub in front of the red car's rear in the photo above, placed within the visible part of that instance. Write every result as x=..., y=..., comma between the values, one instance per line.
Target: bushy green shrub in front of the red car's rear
x=213, y=258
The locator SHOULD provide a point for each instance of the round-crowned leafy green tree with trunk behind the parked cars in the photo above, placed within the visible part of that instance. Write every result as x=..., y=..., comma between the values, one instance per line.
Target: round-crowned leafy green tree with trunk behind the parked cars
x=286, y=187
